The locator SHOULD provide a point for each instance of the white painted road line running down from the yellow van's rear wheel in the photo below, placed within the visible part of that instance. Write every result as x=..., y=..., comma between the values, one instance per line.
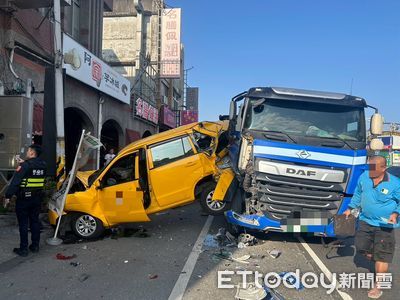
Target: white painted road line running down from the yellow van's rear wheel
x=186, y=273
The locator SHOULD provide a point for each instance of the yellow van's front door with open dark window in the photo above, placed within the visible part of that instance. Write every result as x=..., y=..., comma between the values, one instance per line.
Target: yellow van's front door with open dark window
x=120, y=195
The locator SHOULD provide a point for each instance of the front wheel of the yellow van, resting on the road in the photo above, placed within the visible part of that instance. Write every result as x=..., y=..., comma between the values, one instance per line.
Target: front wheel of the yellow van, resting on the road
x=86, y=226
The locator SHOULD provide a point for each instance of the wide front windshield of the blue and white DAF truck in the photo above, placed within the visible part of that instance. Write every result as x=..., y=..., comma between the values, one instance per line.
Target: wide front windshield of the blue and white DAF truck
x=306, y=119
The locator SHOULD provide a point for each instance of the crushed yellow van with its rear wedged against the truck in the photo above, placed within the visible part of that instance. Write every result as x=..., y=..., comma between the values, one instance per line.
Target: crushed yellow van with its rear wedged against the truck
x=157, y=173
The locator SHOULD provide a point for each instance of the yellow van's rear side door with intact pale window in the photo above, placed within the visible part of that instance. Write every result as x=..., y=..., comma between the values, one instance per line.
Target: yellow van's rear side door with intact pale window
x=175, y=171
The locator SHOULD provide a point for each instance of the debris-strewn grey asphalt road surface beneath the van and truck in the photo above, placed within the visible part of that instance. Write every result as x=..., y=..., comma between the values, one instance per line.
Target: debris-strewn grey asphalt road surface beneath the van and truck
x=150, y=267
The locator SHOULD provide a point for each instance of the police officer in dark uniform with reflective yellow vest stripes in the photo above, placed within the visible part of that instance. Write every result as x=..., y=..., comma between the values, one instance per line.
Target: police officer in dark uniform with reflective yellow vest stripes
x=27, y=185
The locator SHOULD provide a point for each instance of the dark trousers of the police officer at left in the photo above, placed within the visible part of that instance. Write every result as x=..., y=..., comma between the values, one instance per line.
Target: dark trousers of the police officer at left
x=27, y=210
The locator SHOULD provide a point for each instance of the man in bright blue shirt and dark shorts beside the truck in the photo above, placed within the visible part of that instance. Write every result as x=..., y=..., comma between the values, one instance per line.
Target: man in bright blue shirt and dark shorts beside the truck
x=377, y=195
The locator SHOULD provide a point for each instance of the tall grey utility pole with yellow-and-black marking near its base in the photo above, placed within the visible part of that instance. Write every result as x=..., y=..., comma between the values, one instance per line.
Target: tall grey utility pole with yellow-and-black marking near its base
x=59, y=89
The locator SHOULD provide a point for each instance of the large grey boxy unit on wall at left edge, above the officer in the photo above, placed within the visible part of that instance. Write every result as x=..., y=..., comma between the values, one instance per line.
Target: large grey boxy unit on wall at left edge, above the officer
x=15, y=129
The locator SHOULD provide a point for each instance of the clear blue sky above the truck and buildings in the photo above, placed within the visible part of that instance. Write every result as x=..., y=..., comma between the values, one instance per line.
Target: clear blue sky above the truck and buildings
x=319, y=45
